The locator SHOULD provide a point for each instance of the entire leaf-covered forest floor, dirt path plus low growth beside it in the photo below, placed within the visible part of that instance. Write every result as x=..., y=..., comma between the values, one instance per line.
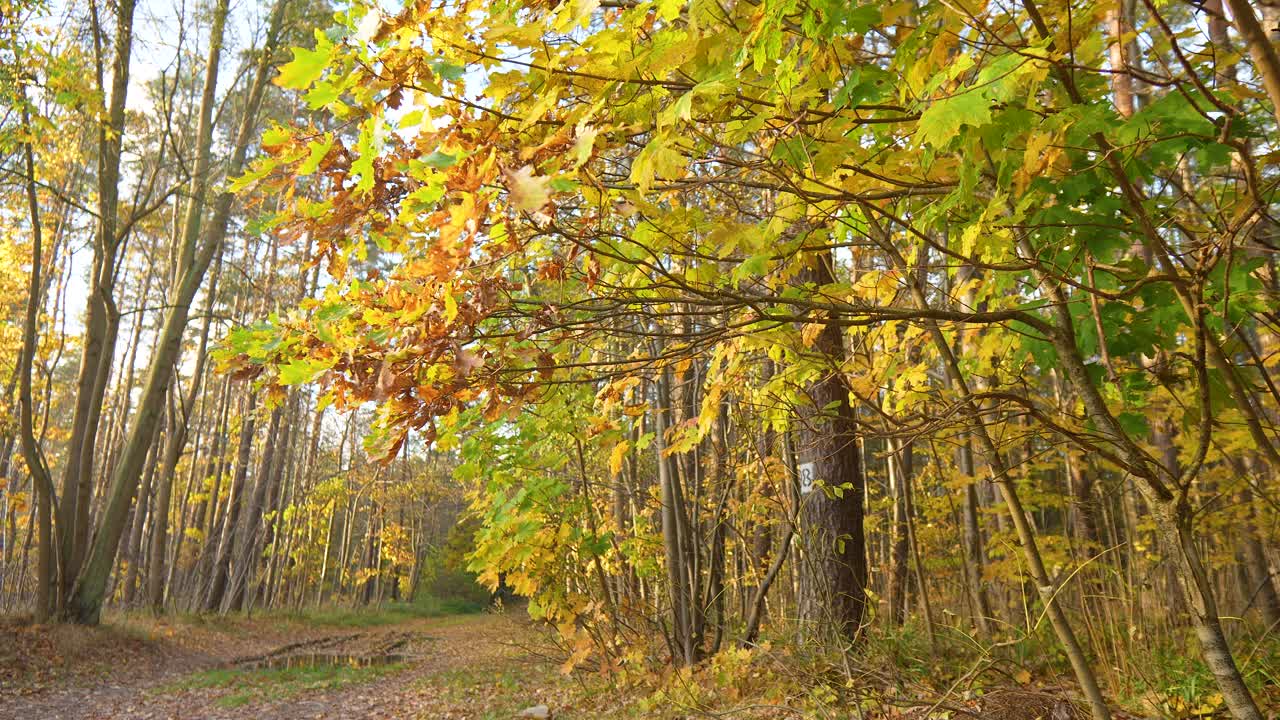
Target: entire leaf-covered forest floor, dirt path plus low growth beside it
x=400, y=666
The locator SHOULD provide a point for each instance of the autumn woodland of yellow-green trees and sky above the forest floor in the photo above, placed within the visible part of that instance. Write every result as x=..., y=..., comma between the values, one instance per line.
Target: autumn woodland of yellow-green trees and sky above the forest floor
x=948, y=327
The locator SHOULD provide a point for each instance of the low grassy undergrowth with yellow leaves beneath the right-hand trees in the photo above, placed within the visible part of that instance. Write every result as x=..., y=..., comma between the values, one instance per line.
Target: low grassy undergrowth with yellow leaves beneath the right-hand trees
x=899, y=671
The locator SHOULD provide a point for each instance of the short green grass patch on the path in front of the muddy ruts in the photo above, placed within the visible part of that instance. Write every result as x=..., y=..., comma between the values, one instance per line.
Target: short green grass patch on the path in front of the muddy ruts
x=245, y=687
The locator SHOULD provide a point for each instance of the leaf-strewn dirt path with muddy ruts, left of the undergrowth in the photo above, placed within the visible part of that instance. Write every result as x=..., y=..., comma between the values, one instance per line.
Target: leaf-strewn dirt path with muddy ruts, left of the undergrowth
x=476, y=667
